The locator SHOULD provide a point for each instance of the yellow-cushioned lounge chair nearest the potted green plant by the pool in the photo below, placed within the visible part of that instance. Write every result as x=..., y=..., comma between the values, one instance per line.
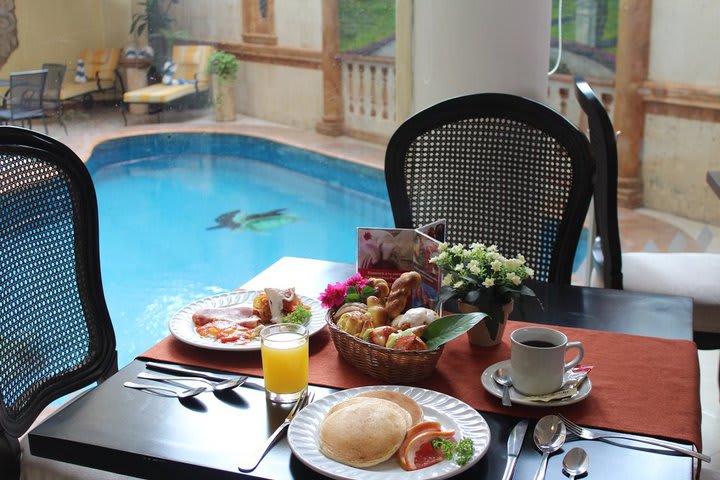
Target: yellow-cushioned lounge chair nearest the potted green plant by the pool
x=190, y=63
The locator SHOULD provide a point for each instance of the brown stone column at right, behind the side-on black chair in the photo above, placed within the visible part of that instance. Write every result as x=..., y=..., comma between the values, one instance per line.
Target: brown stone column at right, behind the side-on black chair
x=633, y=56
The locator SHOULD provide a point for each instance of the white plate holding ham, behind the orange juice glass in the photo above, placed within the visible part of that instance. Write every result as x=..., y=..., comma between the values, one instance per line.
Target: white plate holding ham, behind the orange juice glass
x=182, y=327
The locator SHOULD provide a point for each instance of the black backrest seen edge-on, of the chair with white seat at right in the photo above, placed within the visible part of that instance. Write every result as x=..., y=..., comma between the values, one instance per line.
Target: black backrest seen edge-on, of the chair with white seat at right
x=604, y=151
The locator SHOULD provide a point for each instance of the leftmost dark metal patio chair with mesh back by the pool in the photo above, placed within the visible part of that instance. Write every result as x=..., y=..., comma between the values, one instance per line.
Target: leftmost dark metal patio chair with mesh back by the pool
x=24, y=99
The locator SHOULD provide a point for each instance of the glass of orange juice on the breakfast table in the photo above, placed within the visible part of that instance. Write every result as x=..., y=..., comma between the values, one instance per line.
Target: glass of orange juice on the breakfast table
x=284, y=350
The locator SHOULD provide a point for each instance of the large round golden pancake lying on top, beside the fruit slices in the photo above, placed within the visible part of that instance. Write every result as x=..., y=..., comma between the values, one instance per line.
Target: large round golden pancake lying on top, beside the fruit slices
x=364, y=432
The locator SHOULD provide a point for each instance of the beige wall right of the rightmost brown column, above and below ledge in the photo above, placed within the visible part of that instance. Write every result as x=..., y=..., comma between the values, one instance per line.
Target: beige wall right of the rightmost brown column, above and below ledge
x=678, y=152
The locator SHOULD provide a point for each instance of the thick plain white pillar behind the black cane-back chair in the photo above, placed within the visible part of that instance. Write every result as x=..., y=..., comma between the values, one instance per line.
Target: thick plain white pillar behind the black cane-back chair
x=474, y=46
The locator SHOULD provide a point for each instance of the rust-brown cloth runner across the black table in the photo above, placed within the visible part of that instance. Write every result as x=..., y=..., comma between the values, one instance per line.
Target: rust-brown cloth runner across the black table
x=642, y=385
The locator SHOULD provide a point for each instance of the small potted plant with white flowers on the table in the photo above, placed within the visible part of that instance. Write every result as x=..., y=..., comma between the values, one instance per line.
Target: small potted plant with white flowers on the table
x=481, y=279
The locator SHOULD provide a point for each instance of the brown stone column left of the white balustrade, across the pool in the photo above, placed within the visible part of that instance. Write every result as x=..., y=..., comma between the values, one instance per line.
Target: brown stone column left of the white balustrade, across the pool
x=332, y=121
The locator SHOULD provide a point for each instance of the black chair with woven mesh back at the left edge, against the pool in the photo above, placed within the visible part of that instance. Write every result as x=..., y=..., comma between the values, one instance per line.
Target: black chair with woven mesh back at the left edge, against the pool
x=55, y=332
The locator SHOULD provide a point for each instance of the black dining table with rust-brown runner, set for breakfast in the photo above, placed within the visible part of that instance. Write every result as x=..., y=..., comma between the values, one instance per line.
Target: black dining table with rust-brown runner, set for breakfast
x=645, y=381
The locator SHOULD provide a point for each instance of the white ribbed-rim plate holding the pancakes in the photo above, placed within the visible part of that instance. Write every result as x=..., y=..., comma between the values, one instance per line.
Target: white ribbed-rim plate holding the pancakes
x=450, y=412
